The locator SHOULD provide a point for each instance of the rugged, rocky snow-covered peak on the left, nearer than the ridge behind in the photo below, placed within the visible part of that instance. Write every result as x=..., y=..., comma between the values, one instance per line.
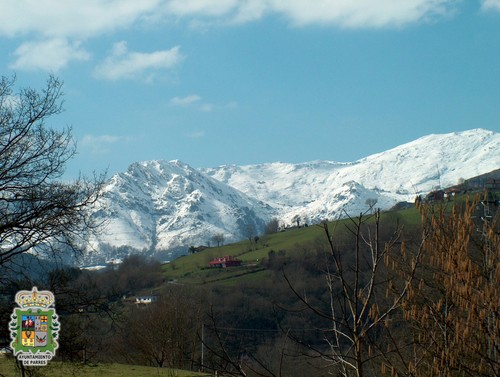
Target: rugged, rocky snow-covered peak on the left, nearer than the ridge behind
x=159, y=206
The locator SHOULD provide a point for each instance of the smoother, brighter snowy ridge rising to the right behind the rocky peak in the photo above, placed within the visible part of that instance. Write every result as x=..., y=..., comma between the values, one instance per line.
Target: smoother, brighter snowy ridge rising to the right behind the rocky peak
x=318, y=190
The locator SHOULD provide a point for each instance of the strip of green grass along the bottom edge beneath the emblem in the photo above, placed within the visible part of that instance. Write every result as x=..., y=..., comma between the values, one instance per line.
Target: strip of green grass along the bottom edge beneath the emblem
x=8, y=368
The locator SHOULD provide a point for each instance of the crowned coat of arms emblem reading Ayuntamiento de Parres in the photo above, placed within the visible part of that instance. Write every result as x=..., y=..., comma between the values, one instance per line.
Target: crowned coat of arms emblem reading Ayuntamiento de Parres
x=34, y=327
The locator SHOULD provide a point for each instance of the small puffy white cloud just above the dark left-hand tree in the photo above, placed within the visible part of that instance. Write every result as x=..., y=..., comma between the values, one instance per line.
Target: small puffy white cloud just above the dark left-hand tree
x=49, y=55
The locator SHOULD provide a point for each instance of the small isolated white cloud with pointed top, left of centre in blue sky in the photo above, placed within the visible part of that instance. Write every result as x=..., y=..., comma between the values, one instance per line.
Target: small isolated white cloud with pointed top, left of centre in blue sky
x=125, y=64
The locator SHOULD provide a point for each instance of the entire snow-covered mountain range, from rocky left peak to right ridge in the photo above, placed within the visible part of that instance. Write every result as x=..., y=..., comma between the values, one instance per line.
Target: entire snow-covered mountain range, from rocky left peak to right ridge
x=169, y=206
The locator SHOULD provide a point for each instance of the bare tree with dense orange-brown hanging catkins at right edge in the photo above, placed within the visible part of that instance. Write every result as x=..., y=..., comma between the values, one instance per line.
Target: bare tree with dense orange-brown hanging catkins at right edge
x=455, y=307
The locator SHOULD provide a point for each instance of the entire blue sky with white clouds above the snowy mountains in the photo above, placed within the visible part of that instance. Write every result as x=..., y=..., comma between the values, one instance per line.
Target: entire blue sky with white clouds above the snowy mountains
x=213, y=82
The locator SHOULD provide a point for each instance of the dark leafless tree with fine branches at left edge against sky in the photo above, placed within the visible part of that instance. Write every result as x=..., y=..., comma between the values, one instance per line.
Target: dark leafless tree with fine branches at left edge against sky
x=38, y=210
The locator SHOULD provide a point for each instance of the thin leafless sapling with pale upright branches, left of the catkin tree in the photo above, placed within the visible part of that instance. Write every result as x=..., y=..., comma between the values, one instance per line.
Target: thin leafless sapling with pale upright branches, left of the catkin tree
x=364, y=296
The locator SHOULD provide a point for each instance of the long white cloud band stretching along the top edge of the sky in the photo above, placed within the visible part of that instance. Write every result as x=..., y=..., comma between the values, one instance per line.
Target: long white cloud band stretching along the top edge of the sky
x=91, y=18
